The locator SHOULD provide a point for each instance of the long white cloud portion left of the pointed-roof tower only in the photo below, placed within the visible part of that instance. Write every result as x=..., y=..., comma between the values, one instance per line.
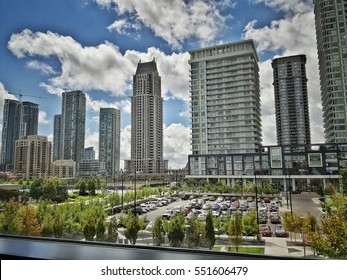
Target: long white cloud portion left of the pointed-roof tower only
x=101, y=68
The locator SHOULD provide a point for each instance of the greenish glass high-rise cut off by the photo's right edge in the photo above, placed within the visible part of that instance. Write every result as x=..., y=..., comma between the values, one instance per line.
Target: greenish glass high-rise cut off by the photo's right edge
x=331, y=35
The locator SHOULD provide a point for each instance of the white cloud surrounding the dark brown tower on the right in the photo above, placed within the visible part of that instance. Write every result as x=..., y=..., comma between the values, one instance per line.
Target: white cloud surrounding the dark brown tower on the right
x=293, y=35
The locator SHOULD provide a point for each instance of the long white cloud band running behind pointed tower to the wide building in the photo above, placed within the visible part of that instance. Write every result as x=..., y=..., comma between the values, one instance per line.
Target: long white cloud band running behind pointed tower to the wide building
x=101, y=67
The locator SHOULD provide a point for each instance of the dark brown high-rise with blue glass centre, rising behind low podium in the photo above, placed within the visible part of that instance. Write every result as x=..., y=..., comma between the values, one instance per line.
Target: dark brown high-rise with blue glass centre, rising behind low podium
x=291, y=100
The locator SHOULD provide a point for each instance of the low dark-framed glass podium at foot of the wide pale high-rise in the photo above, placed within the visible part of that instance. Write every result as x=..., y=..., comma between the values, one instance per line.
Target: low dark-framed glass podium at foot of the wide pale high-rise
x=301, y=166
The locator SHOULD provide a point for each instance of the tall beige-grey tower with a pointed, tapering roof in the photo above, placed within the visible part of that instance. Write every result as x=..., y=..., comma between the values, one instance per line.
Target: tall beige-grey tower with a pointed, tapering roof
x=146, y=121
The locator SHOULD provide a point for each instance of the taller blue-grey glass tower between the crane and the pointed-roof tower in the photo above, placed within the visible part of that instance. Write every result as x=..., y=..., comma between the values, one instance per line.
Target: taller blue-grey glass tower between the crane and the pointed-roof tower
x=73, y=120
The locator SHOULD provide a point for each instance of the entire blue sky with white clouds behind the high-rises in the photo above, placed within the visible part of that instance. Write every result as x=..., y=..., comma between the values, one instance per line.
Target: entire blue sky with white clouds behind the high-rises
x=49, y=46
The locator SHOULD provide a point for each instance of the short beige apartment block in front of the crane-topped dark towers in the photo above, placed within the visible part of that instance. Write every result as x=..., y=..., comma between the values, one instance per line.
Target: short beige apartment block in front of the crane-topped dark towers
x=33, y=157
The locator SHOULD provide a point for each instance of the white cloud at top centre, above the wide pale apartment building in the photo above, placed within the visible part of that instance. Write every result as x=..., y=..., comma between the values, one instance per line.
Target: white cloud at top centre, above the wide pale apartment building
x=174, y=21
